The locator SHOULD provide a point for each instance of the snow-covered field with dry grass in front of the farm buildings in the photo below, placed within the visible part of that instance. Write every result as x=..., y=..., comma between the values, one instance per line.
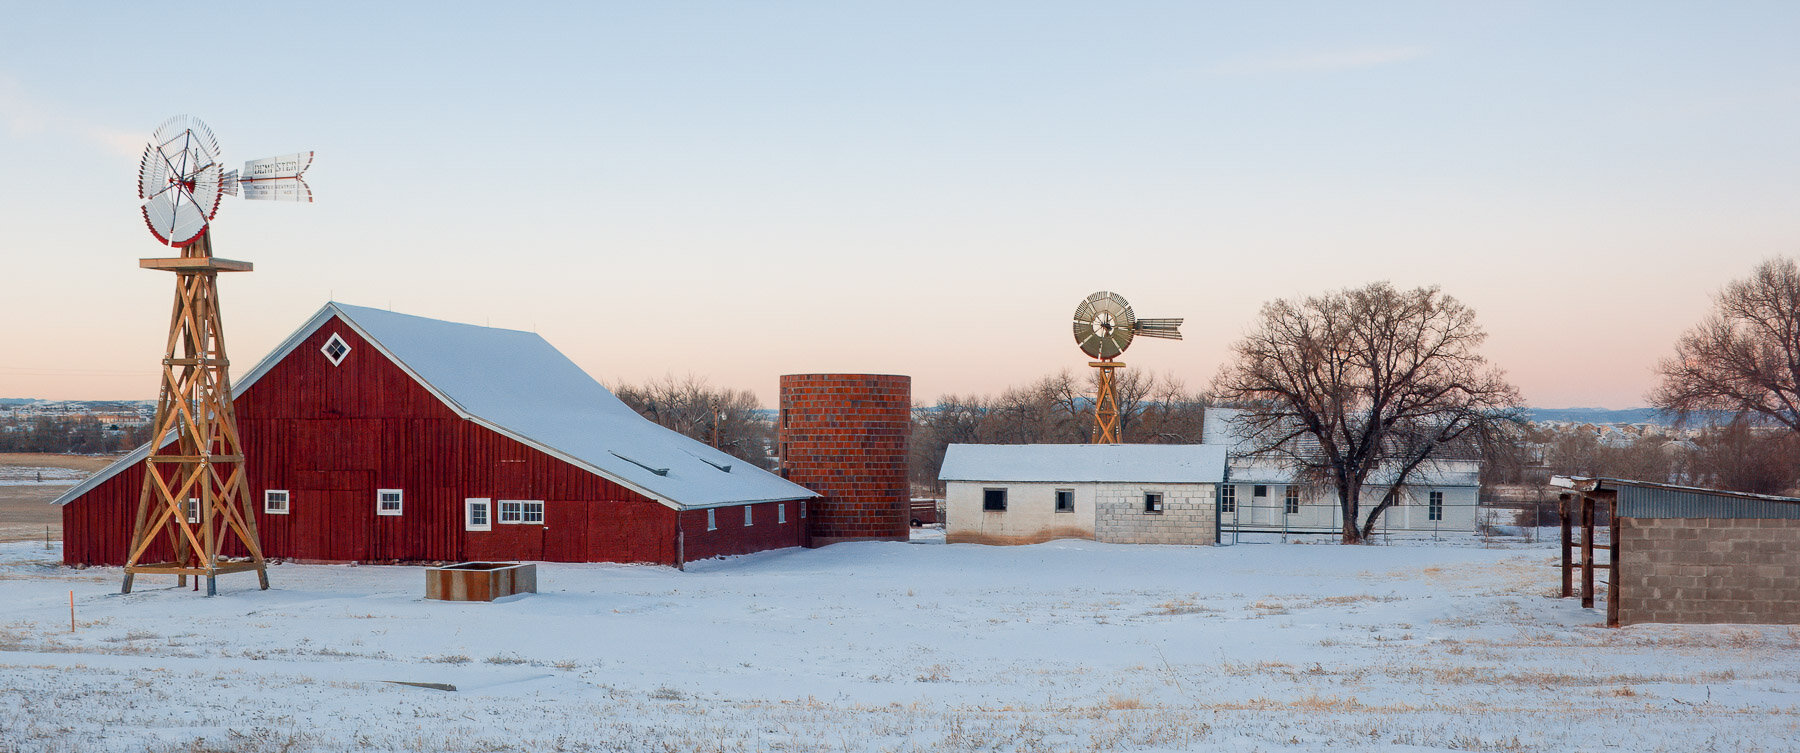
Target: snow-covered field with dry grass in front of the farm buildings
x=890, y=648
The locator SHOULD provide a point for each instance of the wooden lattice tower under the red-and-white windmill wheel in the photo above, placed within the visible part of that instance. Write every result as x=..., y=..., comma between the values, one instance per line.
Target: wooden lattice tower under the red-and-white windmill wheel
x=204, y=462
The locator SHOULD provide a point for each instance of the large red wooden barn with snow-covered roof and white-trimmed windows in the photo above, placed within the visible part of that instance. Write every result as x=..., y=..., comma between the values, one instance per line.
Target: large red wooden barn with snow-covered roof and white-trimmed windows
x=377, y=437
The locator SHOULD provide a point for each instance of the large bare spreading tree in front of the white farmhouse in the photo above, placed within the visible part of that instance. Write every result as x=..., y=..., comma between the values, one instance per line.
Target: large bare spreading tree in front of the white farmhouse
x=1367, y=379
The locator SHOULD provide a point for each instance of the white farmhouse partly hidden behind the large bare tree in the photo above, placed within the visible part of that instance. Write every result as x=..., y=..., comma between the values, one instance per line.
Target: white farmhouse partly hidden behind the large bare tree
x=1266, y=496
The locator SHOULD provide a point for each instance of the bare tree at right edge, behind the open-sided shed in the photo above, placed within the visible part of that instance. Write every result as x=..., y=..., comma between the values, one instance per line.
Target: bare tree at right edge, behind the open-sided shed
x=1745, y=359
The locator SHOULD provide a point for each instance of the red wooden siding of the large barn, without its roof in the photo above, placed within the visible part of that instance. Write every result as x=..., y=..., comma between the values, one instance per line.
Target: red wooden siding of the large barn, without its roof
x=334, y=435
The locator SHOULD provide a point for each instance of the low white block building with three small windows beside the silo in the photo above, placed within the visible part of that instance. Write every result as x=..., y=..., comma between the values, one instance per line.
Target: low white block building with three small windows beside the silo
x=1128, y=494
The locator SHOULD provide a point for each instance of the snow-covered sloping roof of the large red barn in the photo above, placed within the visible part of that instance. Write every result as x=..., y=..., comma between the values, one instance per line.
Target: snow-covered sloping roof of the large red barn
x=521, y=386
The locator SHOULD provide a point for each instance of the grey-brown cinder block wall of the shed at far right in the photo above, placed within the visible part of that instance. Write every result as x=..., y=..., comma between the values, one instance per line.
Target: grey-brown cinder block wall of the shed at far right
x=1689, y=570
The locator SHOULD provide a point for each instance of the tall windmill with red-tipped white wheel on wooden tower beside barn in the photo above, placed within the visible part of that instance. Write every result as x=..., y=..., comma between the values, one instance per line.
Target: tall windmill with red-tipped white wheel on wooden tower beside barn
x=195, y=489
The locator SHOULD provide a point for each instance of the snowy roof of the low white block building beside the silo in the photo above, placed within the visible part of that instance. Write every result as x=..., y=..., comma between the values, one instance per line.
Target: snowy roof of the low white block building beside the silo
x=1074, y=464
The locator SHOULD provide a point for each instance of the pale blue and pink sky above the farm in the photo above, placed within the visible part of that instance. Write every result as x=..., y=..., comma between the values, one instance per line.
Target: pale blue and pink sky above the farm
x=750, y=190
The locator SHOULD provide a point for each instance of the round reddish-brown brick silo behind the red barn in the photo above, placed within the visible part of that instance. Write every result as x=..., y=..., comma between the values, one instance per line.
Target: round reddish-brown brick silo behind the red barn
x=847, y=439
